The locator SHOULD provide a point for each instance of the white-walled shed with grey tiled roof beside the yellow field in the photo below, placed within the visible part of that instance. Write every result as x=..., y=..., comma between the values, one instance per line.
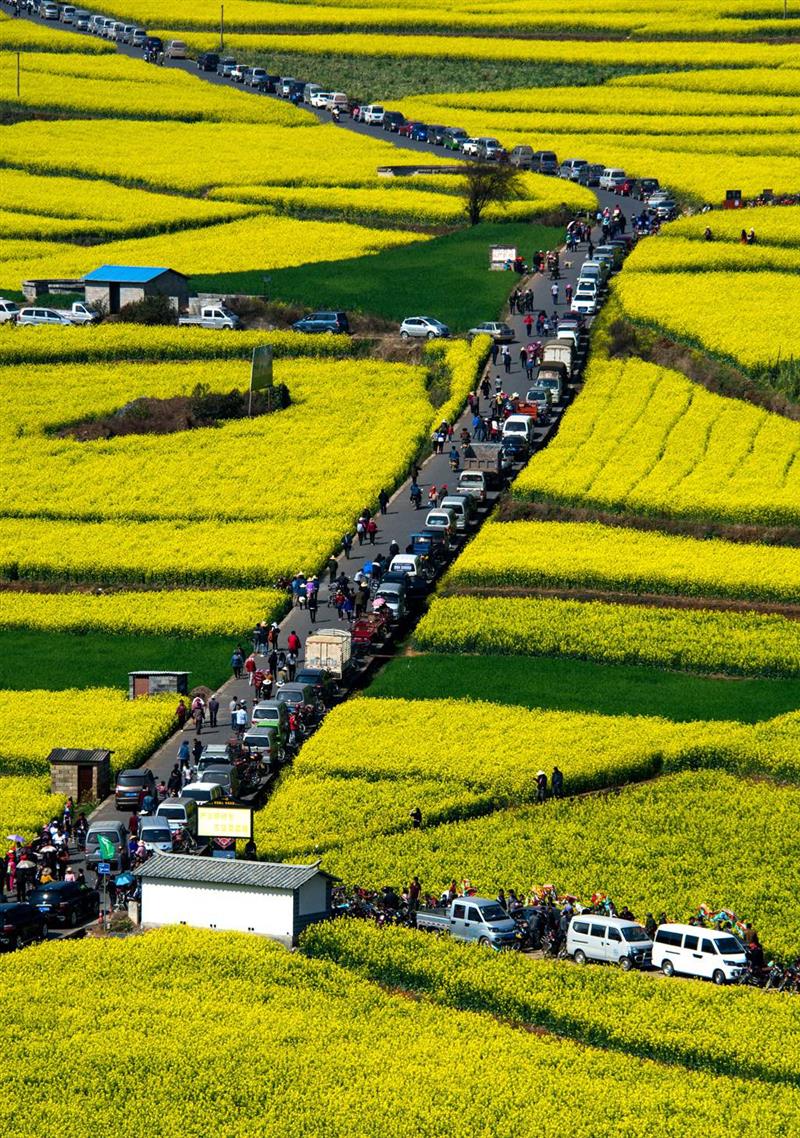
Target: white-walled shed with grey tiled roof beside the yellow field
x=262, y=897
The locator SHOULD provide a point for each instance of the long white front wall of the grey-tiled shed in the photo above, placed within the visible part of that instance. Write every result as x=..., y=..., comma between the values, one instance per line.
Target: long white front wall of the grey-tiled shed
x=232, y=908
